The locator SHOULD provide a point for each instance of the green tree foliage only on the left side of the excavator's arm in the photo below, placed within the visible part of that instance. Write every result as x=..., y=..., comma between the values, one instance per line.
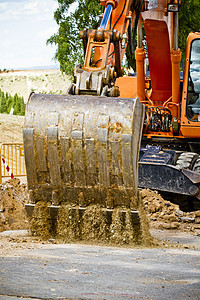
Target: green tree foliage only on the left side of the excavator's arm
x=69, y=47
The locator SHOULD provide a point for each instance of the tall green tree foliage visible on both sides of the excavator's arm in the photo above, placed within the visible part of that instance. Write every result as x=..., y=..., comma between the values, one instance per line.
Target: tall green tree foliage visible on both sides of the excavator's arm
x=69, y=47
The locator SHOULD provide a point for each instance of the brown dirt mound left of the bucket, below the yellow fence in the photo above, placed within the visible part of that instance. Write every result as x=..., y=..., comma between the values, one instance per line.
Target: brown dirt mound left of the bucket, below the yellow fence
x=13, y=196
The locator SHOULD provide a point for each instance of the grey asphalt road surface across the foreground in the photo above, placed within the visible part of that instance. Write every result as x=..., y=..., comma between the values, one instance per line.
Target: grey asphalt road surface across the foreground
x=72, y=271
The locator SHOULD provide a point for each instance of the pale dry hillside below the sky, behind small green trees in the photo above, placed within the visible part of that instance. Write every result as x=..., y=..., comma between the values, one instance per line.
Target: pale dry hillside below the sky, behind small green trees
x=39, y=81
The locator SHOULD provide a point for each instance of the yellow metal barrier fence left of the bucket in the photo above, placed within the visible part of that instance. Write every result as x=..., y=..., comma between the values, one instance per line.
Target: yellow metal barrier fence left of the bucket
x=12, y=162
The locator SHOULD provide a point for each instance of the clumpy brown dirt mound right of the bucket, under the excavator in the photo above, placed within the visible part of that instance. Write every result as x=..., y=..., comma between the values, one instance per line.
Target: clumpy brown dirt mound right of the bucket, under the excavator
x=165, y=215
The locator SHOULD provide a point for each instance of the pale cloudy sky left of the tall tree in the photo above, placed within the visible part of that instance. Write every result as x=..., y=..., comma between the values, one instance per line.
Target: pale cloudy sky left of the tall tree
x=25, y=26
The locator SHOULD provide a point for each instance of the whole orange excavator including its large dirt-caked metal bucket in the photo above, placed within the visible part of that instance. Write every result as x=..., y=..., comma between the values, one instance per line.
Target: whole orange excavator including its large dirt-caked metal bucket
x=82, y=148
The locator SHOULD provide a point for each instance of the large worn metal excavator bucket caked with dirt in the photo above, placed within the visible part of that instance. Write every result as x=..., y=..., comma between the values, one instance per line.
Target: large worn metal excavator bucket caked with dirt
x=82, y=152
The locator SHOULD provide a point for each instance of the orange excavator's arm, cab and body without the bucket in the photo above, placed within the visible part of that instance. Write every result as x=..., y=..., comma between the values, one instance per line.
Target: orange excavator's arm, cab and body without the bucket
x=170, y=153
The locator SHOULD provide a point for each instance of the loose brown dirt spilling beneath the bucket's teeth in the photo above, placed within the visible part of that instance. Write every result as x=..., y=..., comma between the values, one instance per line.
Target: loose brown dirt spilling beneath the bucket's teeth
x=91, y=224
